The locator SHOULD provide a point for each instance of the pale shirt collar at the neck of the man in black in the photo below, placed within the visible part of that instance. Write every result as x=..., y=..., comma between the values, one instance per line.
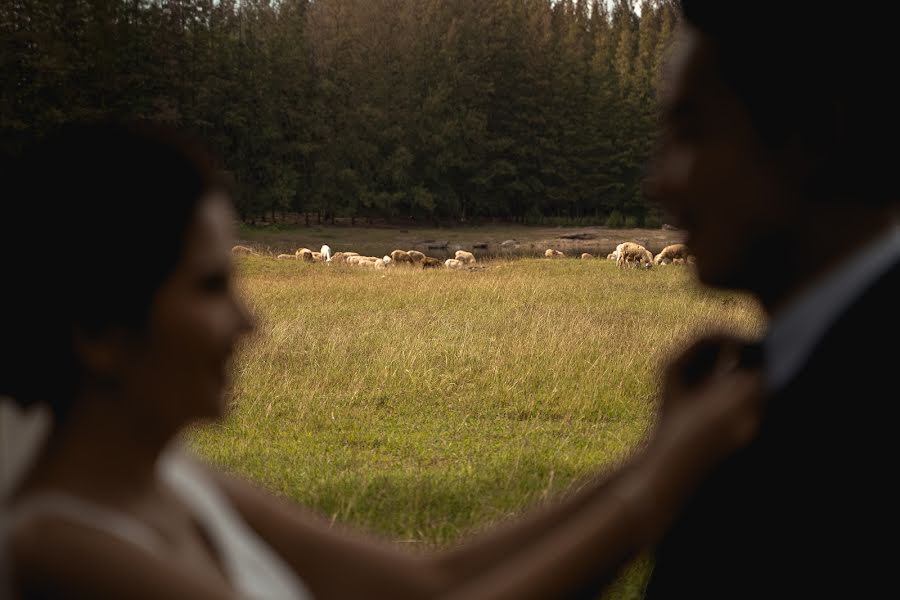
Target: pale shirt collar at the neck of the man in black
x=795, y=330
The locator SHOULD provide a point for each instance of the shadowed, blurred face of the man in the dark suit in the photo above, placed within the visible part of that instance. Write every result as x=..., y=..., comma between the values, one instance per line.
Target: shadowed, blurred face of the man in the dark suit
x=714, y=175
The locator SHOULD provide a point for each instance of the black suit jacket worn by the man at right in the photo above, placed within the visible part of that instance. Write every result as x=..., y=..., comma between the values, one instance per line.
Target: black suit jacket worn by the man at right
x=808, y=509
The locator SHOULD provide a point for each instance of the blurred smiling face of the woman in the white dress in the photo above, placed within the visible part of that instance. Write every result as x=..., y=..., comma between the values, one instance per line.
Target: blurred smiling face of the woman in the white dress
x=180, y=368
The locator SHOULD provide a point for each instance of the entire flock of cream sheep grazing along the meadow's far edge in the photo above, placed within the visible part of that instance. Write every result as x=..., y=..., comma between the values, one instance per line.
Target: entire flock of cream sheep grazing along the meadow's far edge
x=626, y=255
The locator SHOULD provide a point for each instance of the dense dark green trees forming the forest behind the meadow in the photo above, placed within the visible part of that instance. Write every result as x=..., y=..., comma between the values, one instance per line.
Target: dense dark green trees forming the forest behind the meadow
x=463, y=110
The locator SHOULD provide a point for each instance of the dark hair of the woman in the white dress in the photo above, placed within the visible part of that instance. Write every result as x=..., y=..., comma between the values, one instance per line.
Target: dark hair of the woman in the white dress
x=98, y=216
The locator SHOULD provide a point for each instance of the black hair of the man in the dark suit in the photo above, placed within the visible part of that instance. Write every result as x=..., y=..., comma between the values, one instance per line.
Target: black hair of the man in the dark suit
x=816, y=73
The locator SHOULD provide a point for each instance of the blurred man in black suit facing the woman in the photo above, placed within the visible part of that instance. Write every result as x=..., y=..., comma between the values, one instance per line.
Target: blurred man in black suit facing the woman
x=778, y=158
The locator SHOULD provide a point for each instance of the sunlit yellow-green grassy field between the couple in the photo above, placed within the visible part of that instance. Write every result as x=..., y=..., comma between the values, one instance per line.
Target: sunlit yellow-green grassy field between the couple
x=423, y=405
